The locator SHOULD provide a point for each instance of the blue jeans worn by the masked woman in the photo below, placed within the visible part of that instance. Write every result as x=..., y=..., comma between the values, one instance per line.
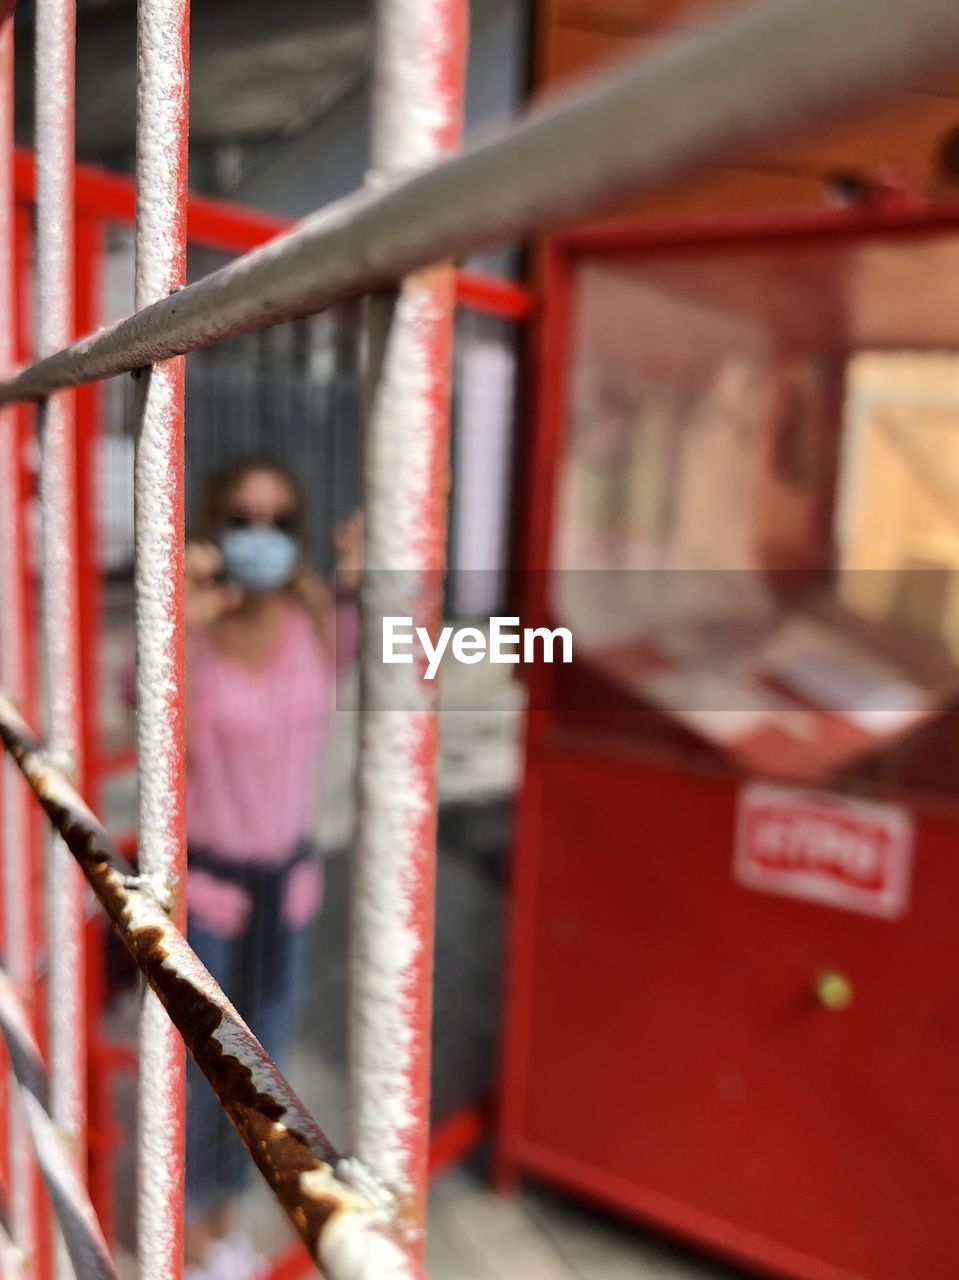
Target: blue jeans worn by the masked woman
x=263, y=972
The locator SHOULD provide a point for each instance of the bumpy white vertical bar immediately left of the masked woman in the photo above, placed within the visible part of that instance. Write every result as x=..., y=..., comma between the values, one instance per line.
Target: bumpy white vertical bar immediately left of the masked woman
x=163, y=89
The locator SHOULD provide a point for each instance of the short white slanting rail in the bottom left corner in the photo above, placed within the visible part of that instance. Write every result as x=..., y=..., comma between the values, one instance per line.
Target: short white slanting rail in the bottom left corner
x=80, y=1229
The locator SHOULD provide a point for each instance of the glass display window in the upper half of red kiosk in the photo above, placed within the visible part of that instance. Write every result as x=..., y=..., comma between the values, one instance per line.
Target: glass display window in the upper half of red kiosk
x=756, y=541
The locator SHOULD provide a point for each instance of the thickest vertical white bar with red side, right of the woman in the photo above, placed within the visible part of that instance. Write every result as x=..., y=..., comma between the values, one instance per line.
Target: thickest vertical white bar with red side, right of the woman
x=418, y=95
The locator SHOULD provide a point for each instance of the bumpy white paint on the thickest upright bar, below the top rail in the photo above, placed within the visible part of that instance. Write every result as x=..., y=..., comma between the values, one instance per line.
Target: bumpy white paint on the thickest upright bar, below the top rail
x=395, y=789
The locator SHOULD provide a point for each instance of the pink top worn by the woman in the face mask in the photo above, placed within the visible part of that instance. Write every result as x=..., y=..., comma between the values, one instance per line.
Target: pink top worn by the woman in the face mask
x=257, y=740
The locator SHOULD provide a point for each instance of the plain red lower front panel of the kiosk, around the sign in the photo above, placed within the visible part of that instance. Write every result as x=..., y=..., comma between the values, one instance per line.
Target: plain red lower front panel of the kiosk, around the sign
x=777, y=1131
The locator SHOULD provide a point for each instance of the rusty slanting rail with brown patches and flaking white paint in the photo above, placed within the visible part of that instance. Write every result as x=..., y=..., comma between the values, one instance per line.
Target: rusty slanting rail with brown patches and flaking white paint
x=342, y=1215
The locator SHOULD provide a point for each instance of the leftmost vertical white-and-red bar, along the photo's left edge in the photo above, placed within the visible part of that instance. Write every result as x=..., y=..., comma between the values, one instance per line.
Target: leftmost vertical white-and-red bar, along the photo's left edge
x=15, y=835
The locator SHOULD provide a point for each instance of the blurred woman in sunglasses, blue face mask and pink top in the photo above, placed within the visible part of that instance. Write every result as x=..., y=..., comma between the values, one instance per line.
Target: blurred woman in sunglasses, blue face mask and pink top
x=266, y=643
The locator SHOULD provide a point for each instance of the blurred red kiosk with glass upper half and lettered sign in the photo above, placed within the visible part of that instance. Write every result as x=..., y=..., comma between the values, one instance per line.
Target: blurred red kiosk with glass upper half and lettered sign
x=734, y=962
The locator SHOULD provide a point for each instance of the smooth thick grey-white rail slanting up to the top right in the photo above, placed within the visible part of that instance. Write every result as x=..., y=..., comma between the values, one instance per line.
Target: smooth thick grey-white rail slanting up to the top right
x=736, y=85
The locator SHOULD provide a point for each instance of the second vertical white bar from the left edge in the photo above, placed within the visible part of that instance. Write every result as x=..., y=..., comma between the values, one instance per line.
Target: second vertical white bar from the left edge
x=54, y=81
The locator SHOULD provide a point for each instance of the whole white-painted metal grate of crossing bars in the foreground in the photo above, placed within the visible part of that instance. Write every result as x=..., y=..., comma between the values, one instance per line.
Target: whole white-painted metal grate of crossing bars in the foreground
x=737, y=84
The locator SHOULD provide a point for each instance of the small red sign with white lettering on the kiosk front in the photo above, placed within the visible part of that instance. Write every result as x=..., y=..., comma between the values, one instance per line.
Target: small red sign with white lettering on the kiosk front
x=825, y=849
